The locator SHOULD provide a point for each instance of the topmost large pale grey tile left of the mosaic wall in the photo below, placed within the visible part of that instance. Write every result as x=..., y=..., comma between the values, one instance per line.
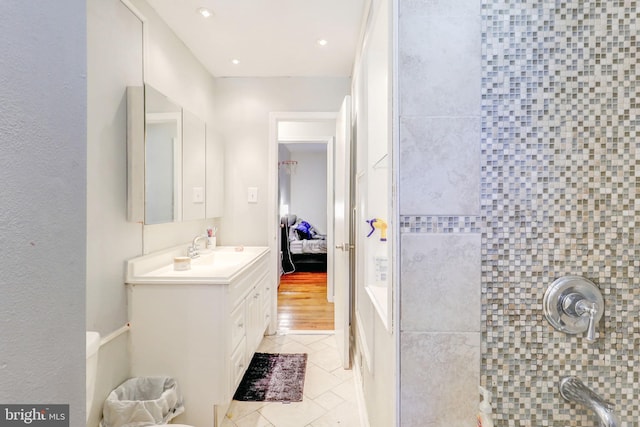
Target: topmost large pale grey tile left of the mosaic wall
x=439, y=58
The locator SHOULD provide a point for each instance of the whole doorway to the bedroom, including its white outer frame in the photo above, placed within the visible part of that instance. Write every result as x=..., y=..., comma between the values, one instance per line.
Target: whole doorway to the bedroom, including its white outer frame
x=302, y=149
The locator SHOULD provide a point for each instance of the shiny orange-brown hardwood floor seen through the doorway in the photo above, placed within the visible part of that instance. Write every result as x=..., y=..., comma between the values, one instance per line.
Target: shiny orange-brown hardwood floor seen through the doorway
x=302, y=302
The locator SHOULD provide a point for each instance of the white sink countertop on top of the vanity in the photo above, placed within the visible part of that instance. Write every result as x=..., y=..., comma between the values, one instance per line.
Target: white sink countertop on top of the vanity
x=217, y=266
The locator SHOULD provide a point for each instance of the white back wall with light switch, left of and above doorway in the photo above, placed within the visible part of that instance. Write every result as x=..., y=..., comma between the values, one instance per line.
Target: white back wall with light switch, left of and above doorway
x=243, y=114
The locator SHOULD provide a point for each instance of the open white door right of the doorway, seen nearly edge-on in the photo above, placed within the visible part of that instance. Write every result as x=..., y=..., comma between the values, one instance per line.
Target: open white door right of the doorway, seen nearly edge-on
x=342, y=245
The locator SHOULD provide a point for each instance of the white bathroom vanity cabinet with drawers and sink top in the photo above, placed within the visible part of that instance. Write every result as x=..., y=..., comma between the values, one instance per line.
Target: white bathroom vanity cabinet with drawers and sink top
x=200, y=326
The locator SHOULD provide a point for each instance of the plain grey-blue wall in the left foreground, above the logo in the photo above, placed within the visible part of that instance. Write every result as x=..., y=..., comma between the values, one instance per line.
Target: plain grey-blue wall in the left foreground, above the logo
x=42, y=213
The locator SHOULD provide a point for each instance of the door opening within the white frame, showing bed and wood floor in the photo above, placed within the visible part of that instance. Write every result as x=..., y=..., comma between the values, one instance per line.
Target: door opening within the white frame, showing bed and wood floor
x=304, y=303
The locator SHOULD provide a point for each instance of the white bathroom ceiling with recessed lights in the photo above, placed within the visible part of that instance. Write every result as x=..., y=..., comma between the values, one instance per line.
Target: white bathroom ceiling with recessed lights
x=269, y=38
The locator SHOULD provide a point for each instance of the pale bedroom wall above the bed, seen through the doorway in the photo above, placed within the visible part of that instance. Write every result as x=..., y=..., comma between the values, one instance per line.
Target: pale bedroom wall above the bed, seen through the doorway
x=309, y=188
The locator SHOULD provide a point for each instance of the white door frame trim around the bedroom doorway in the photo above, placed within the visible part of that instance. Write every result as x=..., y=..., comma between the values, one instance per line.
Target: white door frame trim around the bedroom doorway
x=273, y=228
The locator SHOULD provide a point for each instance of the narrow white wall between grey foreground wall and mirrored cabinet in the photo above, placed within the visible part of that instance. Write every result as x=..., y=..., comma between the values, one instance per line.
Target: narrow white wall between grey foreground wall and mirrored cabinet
x=114, y=62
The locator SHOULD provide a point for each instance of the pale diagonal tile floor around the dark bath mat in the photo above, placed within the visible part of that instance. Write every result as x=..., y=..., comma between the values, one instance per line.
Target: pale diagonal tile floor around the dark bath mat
x=329, y=391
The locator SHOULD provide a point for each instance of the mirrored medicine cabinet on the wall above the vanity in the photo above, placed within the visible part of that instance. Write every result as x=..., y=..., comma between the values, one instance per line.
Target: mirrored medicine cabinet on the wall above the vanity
x=174, y=161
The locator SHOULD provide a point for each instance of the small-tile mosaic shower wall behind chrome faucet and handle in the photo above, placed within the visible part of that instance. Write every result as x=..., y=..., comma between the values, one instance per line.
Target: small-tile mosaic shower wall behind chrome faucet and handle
x=561, y=168
